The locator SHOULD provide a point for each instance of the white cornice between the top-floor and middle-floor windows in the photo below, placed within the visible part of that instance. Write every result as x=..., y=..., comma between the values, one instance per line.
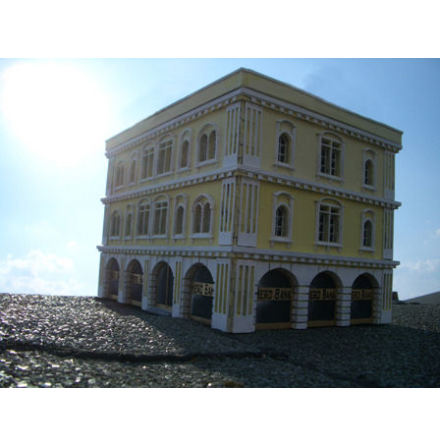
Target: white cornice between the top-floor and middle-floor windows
x=256, y=174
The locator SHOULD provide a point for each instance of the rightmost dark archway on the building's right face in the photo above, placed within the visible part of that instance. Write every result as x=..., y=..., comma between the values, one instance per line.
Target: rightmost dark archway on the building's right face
x=362, y=296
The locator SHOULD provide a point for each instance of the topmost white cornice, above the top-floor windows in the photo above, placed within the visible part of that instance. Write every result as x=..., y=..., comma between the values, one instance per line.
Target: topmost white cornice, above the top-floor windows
x=264, y=101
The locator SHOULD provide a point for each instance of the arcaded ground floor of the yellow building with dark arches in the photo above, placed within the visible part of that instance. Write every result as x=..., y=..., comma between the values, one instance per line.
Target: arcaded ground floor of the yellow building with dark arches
x=241, y=294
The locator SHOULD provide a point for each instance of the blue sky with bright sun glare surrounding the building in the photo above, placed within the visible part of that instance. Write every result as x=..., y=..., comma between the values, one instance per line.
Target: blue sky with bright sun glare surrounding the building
x=55, y=116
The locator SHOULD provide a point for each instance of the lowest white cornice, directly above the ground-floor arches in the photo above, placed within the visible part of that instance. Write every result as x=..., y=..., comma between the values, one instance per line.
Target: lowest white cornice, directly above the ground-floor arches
x=248, y=253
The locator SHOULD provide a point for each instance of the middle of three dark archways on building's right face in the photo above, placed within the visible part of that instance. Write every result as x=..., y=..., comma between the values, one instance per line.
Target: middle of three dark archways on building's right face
x=322, y=300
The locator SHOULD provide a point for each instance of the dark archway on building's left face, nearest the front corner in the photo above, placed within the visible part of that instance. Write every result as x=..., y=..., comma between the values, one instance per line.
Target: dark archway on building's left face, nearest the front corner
x=200, y=294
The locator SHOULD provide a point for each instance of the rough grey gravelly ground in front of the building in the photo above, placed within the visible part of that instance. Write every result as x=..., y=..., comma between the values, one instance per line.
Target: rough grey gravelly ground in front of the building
x=48, y=341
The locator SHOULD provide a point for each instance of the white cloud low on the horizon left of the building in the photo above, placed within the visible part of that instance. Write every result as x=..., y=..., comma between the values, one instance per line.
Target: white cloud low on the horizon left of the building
x=39, y=273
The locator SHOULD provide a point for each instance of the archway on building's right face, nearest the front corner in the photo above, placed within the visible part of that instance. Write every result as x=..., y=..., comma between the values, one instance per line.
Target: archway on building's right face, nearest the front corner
x=274, y=300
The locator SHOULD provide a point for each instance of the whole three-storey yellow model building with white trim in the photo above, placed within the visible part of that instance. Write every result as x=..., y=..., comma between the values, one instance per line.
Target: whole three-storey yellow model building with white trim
x=252, y=204
